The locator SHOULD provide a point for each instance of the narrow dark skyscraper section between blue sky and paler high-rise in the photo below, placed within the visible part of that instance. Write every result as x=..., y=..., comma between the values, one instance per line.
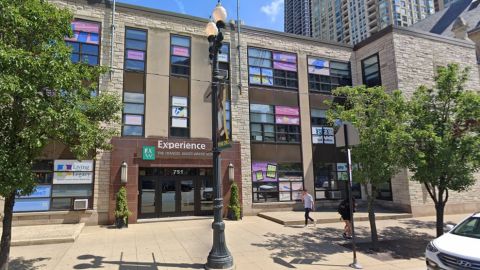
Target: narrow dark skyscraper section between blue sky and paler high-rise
x=298, y=17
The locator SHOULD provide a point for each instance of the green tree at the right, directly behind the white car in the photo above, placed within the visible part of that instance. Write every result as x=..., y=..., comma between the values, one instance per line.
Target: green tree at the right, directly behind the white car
x=445, y=127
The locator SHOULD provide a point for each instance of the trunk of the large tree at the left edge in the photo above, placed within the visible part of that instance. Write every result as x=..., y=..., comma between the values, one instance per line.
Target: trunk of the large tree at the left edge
x=7, y=232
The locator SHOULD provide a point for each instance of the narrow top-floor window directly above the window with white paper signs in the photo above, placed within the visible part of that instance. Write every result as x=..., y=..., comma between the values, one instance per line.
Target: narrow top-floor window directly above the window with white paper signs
x=180, y=55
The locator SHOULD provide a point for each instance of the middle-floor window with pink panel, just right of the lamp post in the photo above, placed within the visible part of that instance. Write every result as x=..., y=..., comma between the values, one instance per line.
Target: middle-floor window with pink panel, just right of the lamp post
x=270, y=123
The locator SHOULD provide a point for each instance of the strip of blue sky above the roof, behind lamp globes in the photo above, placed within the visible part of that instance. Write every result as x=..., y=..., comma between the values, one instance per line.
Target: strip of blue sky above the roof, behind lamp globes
x=259, y=13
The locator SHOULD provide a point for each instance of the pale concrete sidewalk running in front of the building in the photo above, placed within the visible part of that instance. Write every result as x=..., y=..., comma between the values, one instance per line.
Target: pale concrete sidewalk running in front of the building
x=254, y=242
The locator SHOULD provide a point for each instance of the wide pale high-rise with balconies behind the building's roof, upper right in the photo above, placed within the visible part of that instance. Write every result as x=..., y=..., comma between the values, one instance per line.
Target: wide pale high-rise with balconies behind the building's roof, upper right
x=352, y=21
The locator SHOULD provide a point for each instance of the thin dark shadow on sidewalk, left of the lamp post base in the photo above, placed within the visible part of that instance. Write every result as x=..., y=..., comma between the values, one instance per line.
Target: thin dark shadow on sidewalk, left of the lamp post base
x=100, y=262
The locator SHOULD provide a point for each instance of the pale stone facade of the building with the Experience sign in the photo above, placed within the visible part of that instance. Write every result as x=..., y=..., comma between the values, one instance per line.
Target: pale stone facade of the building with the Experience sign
x=407, y=58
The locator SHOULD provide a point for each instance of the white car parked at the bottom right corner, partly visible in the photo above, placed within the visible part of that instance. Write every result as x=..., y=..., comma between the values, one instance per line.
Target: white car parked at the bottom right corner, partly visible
x=457, y=249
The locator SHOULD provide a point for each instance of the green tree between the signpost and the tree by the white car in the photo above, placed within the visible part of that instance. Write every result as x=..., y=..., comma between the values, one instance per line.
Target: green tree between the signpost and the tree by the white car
x=379, y=118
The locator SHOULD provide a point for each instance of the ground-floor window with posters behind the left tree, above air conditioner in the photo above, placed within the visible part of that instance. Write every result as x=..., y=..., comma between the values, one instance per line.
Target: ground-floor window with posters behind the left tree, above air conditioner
x=59, y=183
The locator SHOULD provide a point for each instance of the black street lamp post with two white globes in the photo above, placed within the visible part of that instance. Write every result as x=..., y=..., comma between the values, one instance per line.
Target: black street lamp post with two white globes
x=219, y=256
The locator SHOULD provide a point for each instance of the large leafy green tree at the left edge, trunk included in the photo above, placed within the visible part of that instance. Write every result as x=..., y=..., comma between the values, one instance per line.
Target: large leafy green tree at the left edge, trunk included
x=44, y=97
